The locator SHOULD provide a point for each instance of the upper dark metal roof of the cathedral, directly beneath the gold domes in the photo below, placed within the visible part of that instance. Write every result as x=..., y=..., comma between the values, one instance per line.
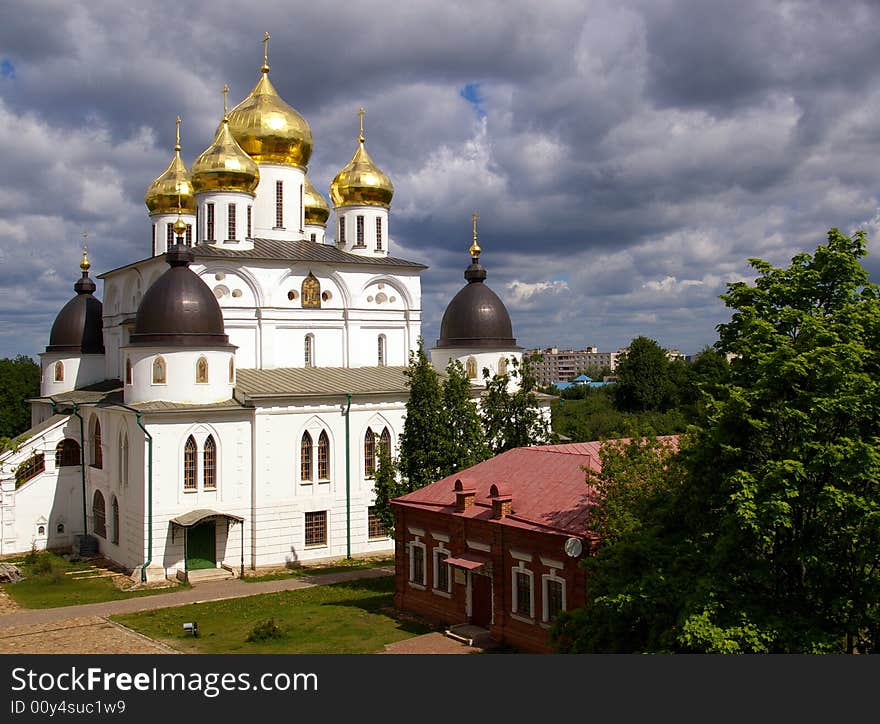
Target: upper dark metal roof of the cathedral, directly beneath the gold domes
x=287, y=251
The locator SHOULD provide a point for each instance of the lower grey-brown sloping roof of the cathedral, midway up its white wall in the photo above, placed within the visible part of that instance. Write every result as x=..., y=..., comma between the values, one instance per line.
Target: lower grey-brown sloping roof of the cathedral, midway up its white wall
x=319, y=381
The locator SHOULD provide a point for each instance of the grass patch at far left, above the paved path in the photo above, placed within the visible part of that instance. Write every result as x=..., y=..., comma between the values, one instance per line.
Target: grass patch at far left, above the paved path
x=47, y=584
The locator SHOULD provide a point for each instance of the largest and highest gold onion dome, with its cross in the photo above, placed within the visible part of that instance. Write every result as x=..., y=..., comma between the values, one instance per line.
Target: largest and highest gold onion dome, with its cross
x=267, y=128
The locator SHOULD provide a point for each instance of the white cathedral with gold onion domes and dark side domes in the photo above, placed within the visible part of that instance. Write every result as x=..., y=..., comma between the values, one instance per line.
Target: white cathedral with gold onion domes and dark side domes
x=221, y=407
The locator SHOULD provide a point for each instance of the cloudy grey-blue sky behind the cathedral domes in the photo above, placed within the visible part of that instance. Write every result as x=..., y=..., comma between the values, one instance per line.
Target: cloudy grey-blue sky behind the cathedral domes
x=626, y=158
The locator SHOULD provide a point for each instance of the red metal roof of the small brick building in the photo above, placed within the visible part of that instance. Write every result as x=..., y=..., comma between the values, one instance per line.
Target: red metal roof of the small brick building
x=548, y=485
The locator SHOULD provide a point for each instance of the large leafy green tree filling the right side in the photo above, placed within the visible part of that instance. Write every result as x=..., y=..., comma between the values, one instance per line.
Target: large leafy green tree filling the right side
x=767, y=538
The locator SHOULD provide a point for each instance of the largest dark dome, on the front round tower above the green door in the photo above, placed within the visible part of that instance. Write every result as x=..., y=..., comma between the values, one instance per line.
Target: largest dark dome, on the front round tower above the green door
x=179, y=309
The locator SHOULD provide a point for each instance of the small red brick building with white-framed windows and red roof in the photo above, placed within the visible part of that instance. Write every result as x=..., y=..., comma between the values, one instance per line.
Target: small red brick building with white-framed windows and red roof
x=499, y=544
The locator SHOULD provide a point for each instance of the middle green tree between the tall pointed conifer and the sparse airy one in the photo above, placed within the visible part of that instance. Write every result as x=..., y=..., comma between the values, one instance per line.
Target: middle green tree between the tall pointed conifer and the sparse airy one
x=465, y=441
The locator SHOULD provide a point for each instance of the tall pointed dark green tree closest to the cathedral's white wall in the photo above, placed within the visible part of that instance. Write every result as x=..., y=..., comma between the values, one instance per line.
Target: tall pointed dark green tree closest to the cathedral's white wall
x=422, y=442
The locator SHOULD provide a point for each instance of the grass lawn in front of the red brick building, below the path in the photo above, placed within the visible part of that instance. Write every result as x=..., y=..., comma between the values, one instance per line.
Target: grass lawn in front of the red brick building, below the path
x=344, y=618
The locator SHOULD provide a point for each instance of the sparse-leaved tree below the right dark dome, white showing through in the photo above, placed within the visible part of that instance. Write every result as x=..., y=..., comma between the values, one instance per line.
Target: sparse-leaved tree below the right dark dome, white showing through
x=513, y=419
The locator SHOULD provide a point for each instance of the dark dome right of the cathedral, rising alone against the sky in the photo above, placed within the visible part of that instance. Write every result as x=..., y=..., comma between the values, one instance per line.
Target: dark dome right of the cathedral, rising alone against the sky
x=476, y=317
